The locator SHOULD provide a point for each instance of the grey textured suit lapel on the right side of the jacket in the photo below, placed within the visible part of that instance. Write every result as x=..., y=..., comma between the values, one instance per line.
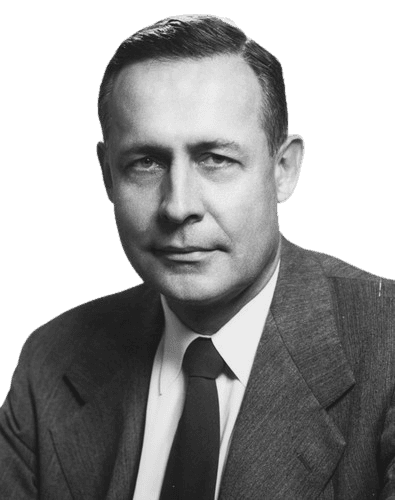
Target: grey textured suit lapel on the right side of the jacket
x=285, y=445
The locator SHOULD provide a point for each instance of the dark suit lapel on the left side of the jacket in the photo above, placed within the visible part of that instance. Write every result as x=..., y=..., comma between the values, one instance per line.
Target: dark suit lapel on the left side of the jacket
x=98, y=436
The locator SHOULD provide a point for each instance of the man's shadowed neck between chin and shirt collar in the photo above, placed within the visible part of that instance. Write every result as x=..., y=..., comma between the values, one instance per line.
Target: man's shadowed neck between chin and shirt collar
x=207, y=319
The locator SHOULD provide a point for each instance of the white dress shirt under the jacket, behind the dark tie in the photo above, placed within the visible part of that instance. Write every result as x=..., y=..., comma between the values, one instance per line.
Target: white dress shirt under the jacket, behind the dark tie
x=237, y=342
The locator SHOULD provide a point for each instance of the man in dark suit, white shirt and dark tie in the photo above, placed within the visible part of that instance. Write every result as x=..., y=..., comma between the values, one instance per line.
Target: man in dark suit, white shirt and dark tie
x=195, y=157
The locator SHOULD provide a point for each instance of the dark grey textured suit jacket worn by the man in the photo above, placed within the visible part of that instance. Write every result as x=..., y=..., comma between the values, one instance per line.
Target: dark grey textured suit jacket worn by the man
x=317, y=420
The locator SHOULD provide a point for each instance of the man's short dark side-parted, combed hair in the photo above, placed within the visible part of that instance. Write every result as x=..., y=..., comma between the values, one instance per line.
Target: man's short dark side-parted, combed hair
x=198, y=36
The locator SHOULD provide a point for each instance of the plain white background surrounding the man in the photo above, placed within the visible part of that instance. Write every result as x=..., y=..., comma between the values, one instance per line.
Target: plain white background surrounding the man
x=59, y=243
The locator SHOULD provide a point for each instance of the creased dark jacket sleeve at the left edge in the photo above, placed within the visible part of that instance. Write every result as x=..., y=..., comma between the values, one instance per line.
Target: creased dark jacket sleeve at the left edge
x=18, y=465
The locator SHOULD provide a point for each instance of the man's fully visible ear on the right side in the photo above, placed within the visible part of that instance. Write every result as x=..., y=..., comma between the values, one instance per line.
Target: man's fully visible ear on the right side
x=288, y=162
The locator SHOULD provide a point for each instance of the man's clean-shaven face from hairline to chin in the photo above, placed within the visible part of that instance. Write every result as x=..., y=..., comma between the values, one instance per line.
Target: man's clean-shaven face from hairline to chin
x=188, y=170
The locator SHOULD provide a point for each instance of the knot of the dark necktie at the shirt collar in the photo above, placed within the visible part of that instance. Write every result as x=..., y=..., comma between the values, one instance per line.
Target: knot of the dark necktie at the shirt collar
x=202, y=359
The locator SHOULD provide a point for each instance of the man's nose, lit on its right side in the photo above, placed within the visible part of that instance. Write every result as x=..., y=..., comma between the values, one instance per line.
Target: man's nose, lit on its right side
x=181, y=195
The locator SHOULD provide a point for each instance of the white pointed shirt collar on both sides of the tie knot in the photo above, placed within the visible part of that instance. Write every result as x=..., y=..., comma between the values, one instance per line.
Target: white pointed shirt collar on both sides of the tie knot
x=236, y=341
